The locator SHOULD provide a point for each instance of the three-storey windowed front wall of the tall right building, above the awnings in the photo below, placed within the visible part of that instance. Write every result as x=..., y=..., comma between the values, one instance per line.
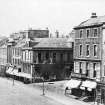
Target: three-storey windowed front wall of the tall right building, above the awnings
x=87, y=51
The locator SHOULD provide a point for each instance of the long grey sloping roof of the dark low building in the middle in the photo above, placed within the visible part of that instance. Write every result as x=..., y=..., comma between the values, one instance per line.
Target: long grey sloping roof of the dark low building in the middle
x=54, y=43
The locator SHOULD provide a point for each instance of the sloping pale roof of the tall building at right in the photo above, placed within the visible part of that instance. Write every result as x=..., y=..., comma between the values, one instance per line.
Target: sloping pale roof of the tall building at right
x=92, y=21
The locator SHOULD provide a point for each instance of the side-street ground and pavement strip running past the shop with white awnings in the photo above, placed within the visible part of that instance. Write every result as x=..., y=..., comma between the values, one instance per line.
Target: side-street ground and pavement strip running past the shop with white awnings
x=56, y=91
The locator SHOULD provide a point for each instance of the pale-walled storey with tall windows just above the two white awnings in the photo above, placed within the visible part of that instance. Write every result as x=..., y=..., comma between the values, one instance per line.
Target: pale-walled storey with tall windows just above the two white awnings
x=89, y=67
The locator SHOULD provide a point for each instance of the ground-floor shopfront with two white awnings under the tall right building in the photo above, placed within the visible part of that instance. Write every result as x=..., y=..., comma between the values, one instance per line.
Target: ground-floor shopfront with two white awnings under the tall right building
x=82, y=87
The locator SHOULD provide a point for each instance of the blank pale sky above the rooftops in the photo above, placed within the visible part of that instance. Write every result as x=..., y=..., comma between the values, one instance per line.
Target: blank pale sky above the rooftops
x=61, y=15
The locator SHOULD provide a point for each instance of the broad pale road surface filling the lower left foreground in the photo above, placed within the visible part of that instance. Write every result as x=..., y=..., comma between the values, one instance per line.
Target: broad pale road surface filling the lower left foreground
x=22, y=94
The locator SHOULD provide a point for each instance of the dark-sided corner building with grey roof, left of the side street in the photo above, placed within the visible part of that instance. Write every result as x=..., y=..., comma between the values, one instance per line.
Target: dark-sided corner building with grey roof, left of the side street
x=49, y=57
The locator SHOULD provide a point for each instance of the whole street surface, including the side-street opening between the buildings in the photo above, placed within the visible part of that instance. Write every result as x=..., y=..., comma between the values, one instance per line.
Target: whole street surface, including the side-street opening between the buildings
x=32, y=94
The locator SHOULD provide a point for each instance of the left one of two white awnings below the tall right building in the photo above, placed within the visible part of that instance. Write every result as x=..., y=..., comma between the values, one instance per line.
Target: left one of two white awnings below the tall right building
x=73, y=83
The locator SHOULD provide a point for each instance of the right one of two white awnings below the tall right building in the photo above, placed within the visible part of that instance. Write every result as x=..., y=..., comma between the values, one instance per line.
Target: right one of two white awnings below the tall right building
x=89, y=85
